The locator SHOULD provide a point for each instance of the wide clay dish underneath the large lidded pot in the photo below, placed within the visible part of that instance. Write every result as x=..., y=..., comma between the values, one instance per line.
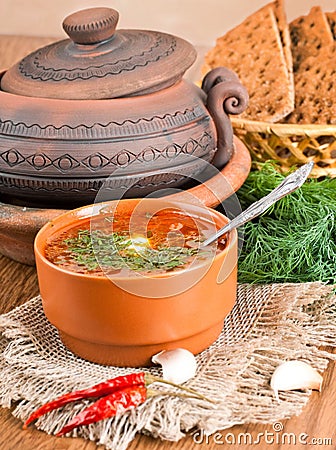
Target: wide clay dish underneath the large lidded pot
x=19, y=224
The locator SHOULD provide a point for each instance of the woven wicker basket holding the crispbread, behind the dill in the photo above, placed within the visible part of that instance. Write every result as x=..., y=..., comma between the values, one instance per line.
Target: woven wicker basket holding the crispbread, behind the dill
x=290, y=144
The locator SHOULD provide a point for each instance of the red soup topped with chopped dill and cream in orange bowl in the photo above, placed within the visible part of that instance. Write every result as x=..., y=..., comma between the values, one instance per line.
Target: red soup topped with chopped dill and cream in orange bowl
x=115, y=244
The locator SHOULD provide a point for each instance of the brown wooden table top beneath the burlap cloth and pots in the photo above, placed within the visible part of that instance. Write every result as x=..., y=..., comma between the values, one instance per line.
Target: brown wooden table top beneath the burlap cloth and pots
x=18, y=283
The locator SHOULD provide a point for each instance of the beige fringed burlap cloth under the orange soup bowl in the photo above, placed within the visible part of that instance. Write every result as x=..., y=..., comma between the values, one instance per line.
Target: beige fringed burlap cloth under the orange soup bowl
x=270, y=324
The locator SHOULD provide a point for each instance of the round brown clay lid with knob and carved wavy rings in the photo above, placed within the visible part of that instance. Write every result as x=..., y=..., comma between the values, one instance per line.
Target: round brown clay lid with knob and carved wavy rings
x=99, y=62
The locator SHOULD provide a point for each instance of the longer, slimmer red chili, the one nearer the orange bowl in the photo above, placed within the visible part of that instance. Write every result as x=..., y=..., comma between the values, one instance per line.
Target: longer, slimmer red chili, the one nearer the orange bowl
x=98, y=390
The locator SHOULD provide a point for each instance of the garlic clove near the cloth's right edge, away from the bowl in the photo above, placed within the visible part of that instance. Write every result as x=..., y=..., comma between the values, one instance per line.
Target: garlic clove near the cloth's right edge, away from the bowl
x=292, y=375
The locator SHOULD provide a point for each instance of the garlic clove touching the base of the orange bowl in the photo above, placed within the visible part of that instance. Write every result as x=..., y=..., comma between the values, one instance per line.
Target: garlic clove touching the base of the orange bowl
x=178, y=365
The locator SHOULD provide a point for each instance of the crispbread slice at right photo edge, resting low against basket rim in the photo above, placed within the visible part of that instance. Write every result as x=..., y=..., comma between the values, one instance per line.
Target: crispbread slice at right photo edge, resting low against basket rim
x=315, y=87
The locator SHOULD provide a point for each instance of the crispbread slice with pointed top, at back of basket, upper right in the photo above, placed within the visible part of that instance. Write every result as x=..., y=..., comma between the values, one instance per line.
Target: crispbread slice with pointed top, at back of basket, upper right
x=309, y=34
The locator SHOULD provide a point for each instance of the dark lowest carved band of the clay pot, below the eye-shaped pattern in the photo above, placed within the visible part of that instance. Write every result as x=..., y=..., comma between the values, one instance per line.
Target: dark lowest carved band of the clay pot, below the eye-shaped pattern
x=70, y=191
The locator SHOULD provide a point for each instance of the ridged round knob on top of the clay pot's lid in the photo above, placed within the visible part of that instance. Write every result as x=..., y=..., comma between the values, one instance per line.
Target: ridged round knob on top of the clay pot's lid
x=92, y=25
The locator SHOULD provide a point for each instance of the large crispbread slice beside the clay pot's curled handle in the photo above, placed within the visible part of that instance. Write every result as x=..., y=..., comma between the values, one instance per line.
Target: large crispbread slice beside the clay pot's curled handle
x=254, y=51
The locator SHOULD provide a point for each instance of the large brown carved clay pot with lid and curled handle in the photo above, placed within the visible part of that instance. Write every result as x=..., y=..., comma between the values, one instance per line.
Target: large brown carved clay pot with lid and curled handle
x=111, y=107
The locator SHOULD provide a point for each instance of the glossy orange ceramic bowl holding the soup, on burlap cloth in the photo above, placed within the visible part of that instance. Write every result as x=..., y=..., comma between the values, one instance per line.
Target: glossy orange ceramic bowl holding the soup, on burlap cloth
x=125, y=320
